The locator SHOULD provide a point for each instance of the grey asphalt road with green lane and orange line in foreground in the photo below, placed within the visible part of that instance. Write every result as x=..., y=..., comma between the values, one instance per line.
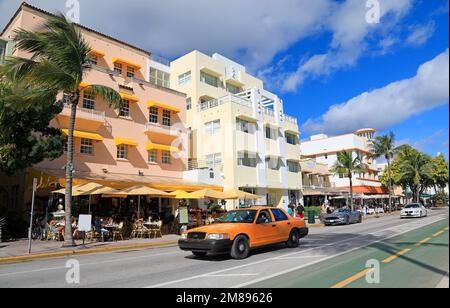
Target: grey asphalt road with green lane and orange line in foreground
x=333, y=256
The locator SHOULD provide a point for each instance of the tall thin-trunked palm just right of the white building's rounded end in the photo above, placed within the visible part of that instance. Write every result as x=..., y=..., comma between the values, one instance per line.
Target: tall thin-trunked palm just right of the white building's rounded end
x=384, y=146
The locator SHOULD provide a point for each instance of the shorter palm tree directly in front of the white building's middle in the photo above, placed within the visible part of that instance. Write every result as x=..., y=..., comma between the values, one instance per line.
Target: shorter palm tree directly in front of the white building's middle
x=348, y=165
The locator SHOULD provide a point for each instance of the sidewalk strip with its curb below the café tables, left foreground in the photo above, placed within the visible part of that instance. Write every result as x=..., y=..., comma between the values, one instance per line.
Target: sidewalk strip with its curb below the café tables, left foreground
x=17, y=251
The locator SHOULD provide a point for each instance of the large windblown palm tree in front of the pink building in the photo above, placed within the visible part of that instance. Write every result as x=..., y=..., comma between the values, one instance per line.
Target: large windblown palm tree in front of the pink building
x=59, y=61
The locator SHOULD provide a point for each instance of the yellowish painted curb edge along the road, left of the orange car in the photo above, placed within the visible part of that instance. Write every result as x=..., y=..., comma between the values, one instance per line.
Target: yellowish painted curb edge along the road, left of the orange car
x=39, y=256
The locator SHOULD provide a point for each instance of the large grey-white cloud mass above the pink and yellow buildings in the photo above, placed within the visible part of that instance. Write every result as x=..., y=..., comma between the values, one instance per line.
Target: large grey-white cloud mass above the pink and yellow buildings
x=252, y=31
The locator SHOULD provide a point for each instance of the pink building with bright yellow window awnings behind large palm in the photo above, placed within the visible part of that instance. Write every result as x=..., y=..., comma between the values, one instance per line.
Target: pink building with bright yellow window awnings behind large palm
x=143, y=143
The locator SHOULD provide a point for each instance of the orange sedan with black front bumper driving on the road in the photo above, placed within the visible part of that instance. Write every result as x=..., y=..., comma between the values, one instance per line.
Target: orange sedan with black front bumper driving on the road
x=239, y=231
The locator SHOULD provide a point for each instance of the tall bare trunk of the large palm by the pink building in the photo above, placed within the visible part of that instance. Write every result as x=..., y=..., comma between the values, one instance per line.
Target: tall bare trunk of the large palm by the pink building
x=68, y=238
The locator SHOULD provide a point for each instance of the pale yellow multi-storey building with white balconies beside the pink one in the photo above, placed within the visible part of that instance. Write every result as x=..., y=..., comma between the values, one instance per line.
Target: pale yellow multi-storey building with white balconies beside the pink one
x=238, y=129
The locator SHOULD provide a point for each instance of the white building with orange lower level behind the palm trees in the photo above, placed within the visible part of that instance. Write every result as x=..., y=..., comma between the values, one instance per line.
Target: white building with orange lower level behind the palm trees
x=324, y=149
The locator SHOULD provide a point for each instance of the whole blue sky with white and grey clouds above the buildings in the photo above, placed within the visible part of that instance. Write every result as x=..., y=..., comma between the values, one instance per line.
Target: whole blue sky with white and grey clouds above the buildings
x=334, y=70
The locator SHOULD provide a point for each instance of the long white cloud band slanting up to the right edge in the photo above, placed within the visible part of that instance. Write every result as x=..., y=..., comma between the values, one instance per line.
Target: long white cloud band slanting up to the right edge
x=391, y=104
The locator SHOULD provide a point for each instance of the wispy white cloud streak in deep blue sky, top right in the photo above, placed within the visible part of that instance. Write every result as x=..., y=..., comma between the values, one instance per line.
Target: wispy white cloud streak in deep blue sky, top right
x=351, y=34
